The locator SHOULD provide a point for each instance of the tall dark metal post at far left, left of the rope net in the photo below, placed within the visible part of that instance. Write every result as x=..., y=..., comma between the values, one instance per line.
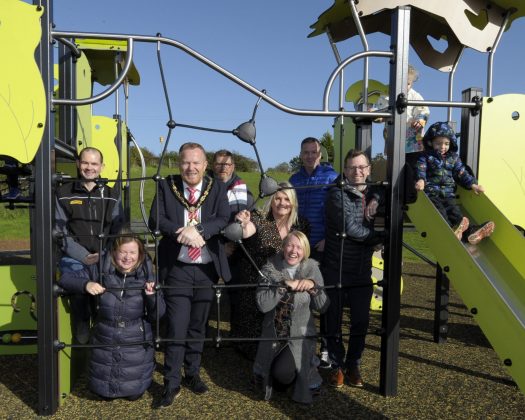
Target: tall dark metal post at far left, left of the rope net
x=43, y=221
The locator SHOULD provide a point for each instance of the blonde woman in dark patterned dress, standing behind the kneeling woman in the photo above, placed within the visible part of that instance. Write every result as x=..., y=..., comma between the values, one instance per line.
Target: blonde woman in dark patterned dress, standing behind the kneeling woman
x=263, y=233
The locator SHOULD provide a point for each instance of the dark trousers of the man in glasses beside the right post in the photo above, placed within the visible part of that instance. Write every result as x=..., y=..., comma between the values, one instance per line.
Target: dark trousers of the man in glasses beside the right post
x=357, y=298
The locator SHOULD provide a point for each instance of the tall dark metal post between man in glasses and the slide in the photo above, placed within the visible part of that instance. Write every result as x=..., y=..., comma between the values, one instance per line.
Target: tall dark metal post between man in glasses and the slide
x=400, y=41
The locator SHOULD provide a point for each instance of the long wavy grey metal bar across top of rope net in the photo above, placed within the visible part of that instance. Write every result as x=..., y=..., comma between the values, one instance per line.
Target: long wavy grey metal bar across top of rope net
x=226, y=73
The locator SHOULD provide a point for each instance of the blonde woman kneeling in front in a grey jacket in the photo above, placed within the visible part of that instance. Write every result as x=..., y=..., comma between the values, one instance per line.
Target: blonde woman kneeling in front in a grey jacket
x=291, y=294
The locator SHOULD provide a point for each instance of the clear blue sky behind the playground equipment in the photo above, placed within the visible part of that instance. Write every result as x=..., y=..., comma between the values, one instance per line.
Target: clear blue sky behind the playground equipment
x=264, y=43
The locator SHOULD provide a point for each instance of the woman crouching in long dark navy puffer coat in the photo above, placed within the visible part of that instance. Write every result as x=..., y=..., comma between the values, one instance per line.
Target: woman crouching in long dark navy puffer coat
x=126, y=304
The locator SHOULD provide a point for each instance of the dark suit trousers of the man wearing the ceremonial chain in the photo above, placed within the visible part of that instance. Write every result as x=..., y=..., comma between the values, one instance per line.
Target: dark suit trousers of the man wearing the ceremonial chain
x=187, y=312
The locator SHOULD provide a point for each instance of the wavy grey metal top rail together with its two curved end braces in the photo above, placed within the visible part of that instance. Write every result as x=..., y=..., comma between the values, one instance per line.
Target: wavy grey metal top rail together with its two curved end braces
x=217, y=68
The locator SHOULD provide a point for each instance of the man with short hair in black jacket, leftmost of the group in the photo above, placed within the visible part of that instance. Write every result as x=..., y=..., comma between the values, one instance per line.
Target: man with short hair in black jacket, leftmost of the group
x=83, y=210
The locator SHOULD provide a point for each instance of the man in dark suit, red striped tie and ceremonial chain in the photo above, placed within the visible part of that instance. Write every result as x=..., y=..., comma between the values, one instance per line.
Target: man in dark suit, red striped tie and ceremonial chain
x=190, y=210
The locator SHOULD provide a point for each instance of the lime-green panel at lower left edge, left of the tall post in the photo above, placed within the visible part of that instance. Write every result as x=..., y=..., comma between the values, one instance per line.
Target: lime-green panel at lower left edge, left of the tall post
x=17, y=309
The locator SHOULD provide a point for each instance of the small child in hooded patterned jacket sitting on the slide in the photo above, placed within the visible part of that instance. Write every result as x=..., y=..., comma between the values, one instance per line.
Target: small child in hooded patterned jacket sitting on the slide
x=438, y=169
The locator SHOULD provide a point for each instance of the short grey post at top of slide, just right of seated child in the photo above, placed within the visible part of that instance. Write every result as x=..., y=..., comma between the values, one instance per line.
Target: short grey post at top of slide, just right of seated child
x=470, y=131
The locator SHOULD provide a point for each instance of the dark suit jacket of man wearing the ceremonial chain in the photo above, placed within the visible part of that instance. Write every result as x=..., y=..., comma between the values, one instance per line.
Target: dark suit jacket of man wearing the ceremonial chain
x=167, y=214
